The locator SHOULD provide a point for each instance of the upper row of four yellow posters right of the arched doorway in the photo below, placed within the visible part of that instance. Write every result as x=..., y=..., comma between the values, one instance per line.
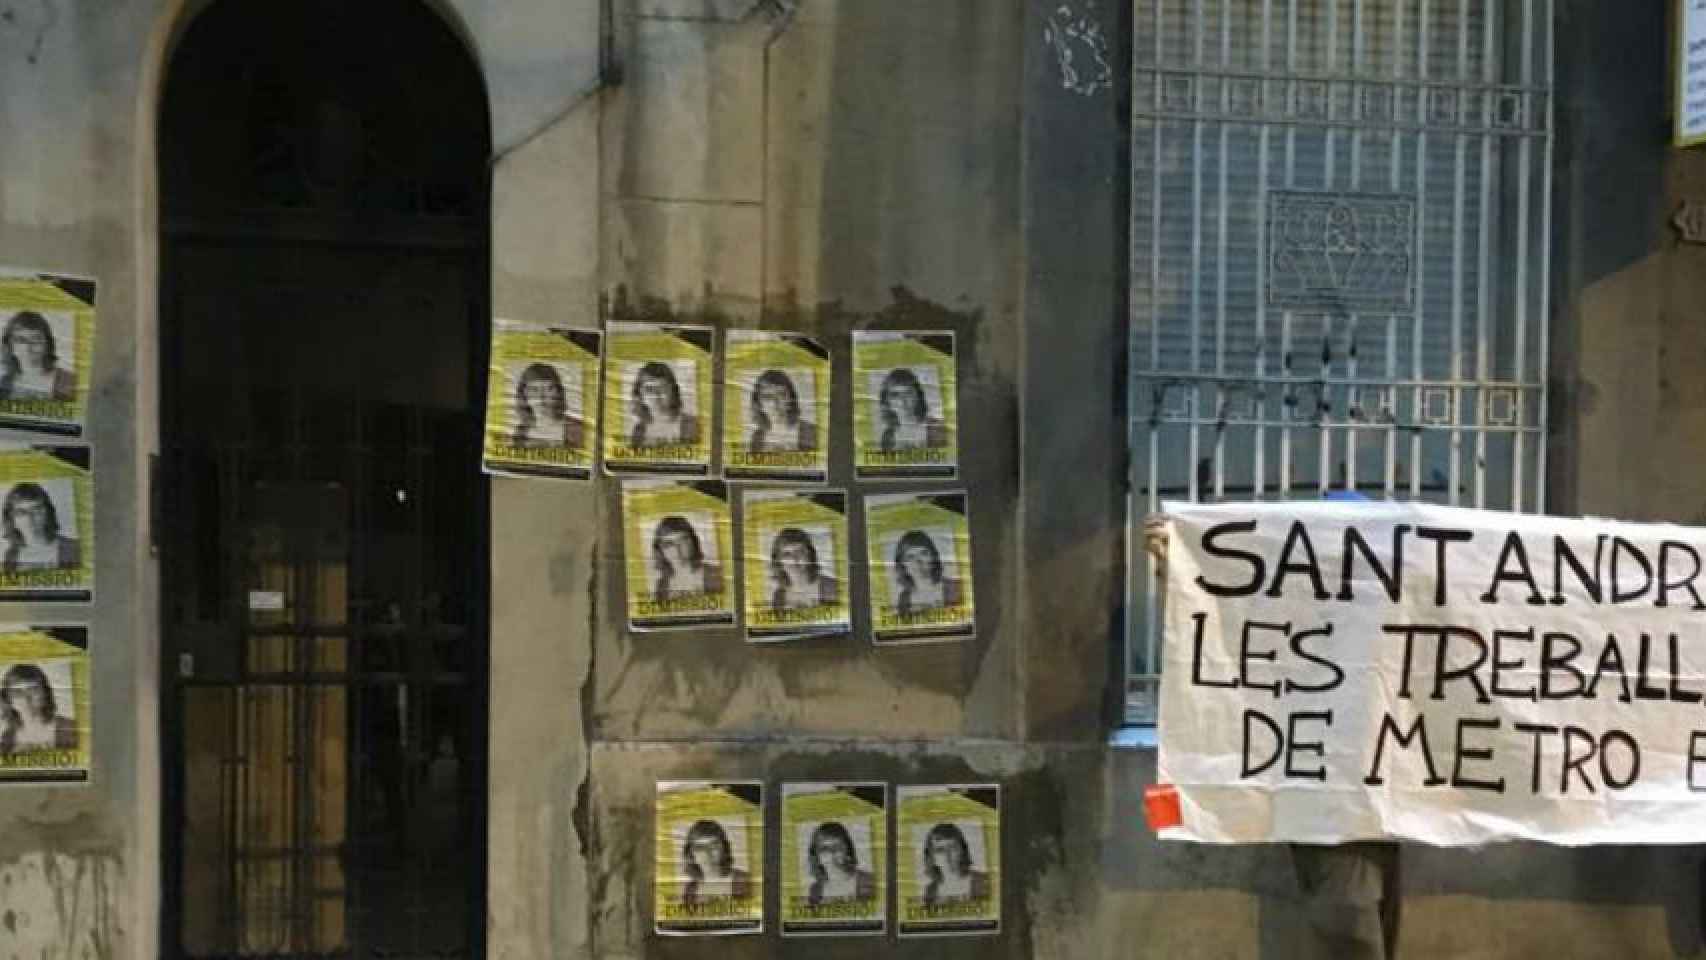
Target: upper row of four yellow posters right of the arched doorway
x=659, y=403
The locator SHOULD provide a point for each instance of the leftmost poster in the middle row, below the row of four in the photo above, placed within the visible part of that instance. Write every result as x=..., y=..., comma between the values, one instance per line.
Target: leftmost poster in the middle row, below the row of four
x=678, y=555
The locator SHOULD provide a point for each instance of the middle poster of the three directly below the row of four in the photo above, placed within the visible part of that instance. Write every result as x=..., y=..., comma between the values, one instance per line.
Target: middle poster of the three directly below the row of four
x=796, y=564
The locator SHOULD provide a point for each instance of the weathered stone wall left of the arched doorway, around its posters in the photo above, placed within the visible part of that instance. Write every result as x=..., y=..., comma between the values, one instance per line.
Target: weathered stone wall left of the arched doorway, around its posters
x=71, y=168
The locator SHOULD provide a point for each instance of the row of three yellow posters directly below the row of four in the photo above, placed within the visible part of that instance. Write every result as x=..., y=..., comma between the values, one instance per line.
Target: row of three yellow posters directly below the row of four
x=794, y=562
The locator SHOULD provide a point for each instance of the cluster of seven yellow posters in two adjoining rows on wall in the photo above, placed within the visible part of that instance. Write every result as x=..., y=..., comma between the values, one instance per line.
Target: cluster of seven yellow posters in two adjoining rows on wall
x=656, y=385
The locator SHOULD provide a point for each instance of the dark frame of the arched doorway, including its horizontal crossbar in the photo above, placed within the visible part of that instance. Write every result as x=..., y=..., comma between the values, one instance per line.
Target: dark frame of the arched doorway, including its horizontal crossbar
x=168, y=233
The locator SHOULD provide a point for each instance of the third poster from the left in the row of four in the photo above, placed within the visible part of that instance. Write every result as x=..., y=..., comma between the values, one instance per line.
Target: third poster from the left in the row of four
x=777, y=407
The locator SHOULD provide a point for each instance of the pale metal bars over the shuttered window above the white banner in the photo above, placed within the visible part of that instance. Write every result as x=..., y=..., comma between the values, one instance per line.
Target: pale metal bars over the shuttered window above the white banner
x=1350, y=308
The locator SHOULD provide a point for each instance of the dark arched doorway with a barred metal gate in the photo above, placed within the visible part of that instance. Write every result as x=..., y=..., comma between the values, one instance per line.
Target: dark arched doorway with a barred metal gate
x=323, y=552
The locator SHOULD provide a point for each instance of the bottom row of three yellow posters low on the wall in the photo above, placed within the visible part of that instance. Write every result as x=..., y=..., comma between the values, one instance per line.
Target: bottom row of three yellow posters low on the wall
x=835, y=855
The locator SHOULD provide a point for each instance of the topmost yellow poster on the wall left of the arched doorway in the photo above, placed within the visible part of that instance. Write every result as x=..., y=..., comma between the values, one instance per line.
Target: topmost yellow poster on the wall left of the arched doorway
x=47, y=352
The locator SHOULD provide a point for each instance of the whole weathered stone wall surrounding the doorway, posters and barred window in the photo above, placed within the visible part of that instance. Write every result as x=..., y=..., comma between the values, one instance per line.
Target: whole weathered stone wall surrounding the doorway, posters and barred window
x=835, y=166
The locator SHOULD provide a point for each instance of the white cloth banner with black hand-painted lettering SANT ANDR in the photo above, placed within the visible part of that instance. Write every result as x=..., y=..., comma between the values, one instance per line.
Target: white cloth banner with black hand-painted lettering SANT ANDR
x=1361, y=671
